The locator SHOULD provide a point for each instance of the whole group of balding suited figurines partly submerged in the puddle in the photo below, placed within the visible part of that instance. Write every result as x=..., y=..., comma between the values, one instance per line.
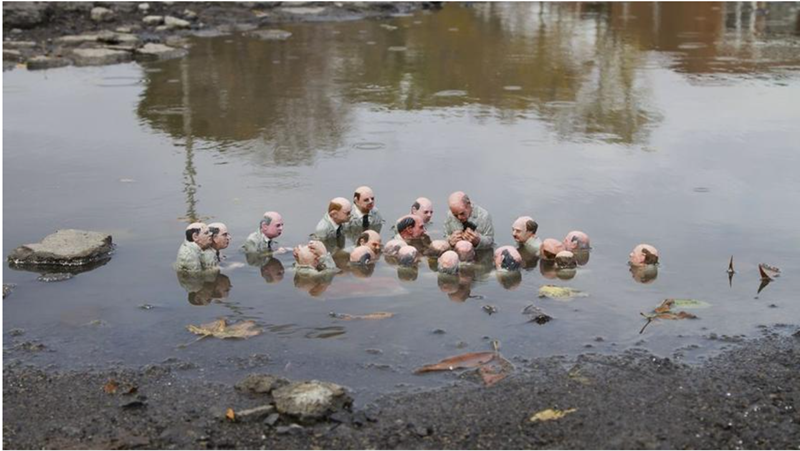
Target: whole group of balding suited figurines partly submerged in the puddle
x=468, y=234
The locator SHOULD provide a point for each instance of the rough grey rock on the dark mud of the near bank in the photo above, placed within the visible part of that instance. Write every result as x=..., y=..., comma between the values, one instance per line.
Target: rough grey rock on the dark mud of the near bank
x=310, y=400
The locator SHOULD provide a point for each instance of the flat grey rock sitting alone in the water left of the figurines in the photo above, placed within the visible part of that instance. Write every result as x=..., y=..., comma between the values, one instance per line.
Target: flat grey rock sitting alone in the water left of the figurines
x=65, y=247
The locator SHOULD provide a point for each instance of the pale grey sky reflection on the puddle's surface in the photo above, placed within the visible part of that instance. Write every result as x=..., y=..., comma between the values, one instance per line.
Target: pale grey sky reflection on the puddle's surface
x=713, y=176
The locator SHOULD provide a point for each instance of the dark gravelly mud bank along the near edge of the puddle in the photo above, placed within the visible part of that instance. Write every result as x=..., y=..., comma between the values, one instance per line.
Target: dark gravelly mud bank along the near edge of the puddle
x=747, y=397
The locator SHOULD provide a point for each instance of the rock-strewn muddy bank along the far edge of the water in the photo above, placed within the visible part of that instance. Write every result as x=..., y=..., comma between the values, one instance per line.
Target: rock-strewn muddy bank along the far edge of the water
x=45, y=35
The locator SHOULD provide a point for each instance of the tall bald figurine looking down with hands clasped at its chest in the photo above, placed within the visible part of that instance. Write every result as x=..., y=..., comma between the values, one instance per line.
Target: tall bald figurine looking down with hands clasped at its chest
x=466, y=221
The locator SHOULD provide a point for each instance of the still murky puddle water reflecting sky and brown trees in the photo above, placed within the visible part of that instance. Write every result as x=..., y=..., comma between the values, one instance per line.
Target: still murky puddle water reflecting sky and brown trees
x=672, y=124
